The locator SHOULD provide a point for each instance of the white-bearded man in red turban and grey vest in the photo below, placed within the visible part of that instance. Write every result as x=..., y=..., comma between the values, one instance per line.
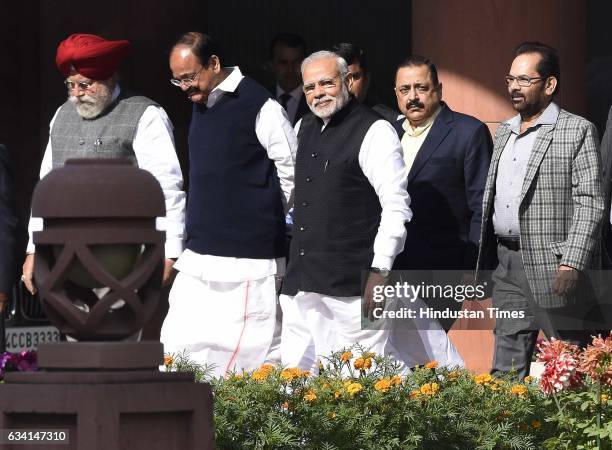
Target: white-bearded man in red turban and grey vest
x=102, y=120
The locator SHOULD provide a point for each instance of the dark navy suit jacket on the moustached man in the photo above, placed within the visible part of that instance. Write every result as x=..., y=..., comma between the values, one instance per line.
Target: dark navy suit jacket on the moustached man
x=446, y=183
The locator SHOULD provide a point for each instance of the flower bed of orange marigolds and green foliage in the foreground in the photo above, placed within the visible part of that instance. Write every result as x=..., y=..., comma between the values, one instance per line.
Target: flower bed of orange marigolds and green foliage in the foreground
x=360, y=402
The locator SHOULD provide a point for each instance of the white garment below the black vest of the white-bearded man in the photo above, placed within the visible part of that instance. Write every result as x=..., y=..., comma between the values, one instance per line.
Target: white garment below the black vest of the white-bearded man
x=316, y=325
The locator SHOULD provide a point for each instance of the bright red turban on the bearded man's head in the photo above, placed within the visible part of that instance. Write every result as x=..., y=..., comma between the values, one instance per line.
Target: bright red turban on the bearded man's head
x=91, y=56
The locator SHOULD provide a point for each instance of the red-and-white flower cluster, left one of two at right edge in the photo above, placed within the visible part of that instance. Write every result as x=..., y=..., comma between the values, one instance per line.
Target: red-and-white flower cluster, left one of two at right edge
x=560, y=366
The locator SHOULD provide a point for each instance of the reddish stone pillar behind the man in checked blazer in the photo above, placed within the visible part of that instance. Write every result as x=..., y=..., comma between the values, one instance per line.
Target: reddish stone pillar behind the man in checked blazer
x=472, y=43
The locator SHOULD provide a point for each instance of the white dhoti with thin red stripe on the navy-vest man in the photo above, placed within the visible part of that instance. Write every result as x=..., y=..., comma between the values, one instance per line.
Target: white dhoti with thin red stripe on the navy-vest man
x=230, y=325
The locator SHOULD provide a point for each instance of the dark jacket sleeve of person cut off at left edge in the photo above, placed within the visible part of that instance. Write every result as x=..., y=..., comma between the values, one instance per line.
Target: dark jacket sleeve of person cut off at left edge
x=8, y=222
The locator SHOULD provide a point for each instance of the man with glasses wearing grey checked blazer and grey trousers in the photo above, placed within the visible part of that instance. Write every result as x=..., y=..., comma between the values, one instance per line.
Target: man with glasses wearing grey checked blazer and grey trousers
x=543, y=203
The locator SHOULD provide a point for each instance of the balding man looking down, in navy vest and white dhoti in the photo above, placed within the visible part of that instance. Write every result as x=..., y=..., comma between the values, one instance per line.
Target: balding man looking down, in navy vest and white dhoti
x=241, y=147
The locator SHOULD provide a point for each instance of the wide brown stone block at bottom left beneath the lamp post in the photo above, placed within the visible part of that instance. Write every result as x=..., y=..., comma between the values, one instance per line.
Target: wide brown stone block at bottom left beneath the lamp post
x=123, y=410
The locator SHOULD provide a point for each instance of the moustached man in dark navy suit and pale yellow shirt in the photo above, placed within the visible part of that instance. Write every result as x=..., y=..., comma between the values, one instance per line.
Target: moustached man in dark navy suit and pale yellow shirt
x=447, y=157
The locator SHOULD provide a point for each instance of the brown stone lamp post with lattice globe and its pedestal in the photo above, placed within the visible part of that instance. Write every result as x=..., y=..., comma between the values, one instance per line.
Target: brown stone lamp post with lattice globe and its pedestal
x=98, y=267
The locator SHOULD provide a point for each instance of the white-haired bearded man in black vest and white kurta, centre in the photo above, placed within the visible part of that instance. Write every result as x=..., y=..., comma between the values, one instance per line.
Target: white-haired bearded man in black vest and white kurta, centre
x=350, y=207
